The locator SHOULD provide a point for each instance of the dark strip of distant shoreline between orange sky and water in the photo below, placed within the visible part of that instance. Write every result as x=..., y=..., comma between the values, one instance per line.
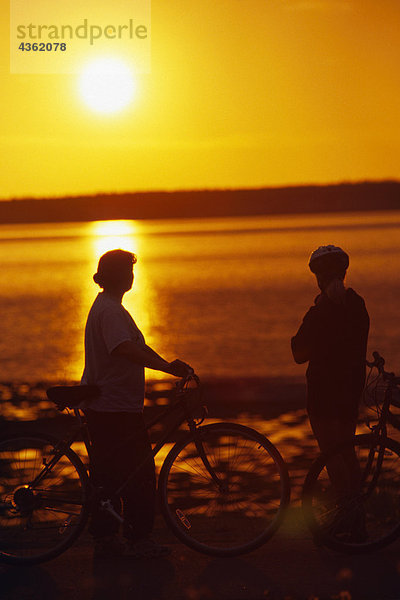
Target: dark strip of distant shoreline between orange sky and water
x=305, y=199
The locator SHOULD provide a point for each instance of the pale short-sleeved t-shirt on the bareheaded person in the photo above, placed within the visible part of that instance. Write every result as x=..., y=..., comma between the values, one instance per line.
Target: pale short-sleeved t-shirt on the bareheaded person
x=121, y=381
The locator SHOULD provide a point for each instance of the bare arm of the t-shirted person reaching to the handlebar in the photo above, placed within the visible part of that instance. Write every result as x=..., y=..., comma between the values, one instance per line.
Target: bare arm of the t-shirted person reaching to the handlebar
x=147, y=357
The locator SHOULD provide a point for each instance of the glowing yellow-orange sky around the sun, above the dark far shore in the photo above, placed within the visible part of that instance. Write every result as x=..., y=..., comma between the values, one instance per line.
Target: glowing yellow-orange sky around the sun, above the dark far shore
x=241, y=93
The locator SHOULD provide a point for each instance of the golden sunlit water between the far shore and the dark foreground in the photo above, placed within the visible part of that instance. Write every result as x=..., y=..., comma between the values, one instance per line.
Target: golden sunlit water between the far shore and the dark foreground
x=224, y=294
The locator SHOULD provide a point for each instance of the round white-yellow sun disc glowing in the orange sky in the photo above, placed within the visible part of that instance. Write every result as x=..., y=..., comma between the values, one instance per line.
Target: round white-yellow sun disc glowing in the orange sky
x=107, y=85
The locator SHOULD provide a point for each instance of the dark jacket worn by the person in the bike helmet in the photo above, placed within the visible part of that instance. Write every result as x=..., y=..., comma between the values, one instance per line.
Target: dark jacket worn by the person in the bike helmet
x=333, y=339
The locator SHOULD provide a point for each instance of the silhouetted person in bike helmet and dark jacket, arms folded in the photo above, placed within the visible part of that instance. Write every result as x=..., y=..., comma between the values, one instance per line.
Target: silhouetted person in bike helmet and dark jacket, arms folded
x=333, y=340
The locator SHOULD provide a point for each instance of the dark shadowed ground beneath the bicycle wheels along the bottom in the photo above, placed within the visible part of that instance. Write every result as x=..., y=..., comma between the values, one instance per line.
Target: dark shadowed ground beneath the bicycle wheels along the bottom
x=288, y=567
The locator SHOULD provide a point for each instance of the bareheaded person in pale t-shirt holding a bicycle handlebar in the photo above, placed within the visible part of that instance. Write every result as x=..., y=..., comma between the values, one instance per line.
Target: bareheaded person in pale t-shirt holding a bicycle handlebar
x=115, y=357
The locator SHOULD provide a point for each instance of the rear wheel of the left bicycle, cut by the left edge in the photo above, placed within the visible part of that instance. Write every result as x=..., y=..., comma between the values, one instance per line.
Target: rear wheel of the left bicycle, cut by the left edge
x=43, y=498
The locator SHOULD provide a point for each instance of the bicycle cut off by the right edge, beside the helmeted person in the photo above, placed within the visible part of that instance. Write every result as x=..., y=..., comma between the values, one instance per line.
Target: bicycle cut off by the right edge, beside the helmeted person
x=370, y=518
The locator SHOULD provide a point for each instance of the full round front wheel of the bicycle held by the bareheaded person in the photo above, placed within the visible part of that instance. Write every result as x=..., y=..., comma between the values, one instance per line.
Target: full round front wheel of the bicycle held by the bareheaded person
x=224, y=489
